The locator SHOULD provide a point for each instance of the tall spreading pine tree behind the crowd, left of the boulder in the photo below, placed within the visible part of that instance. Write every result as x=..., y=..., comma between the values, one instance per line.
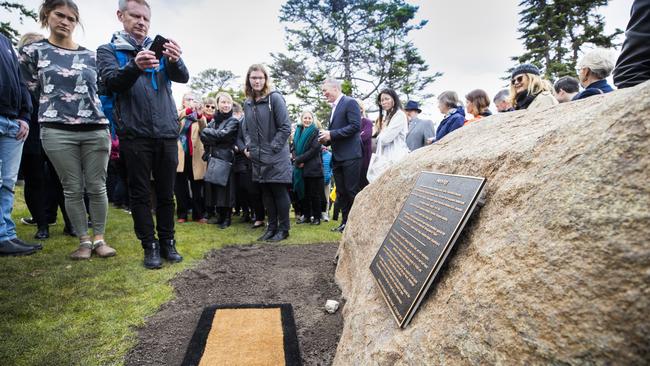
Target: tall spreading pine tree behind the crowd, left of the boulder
x=362, y=42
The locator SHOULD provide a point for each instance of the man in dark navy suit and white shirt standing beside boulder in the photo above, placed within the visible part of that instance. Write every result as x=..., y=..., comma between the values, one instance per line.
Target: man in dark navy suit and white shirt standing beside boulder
x=343, y=135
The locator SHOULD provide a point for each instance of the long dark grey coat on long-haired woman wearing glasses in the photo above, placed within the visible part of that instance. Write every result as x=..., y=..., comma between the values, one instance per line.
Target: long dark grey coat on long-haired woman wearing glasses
x=266, y=132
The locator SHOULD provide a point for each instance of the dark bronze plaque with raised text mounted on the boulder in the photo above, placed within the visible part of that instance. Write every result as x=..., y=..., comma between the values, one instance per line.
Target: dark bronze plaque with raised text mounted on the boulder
x=421, y=237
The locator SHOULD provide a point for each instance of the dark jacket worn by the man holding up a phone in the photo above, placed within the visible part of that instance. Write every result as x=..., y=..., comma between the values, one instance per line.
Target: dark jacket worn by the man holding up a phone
x=144, y=106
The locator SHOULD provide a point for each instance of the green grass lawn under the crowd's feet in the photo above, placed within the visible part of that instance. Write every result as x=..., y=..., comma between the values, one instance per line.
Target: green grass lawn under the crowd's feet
x=56, y=311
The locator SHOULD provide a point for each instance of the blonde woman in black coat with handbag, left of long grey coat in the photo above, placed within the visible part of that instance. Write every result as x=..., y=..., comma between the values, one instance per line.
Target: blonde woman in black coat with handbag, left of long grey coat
x=219, y=138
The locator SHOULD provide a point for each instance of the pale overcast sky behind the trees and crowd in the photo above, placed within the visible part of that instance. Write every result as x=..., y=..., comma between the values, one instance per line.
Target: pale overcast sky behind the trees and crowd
x=470, y=41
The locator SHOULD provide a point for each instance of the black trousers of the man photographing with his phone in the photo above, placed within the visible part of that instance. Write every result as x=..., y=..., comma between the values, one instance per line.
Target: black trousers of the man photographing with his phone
x=146, y=158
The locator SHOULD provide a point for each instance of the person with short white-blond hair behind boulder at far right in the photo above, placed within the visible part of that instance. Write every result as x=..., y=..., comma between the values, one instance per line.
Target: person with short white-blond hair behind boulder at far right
x=595, y=67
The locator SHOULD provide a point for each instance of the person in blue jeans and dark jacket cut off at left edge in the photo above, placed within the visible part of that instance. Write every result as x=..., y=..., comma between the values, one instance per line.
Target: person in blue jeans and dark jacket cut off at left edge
x=15, y=110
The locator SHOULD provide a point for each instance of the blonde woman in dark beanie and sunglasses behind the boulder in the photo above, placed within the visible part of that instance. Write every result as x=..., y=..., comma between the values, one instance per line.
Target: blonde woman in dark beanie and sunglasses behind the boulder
x=528, y=90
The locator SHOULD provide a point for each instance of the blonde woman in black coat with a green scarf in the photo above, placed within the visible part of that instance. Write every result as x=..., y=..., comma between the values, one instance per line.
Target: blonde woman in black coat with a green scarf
x=308, y=183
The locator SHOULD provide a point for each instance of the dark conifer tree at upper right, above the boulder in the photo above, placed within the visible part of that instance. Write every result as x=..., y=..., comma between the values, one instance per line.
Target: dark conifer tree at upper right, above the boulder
x=554, y=32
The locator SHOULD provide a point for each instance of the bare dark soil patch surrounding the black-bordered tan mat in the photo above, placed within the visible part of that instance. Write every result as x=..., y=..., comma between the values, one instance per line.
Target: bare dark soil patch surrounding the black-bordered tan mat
x=302, y=275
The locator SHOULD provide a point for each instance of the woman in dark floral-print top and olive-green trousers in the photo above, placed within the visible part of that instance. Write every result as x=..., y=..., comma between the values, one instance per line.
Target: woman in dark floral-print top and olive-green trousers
x=62, y=76
